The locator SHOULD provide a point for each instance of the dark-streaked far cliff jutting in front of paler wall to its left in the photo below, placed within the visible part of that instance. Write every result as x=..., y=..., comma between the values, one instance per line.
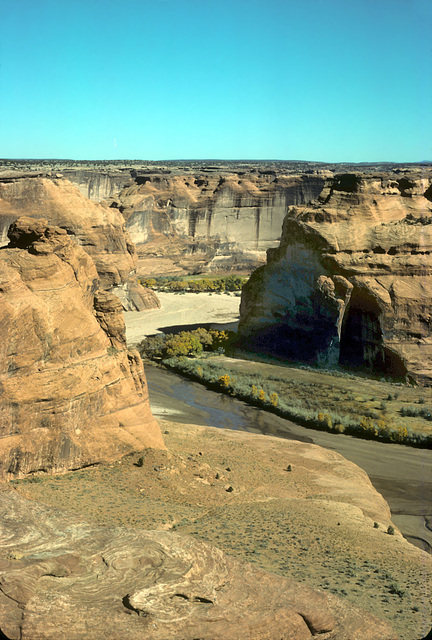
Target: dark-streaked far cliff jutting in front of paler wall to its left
x=233, y=218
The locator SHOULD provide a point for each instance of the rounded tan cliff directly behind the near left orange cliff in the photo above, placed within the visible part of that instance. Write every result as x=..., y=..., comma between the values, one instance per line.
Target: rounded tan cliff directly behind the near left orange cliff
x=97, y=228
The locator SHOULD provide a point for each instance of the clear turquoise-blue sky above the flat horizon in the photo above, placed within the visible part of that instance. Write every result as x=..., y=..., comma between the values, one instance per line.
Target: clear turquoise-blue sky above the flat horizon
x=330, y=80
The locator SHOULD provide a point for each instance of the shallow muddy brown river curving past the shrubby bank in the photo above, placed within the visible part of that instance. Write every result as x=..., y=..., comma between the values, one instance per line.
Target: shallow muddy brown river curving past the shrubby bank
x=403, y=475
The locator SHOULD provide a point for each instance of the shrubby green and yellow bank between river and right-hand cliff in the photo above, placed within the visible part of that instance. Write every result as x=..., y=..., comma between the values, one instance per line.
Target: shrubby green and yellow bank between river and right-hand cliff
x=337, y=408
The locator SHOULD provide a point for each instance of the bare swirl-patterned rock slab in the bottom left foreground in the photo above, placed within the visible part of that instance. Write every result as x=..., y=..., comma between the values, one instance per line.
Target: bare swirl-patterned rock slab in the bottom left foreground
x=64, y=578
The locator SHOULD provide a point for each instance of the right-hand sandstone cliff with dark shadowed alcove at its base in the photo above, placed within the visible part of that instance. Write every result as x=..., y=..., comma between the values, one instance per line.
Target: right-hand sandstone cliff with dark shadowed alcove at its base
x=351, y=281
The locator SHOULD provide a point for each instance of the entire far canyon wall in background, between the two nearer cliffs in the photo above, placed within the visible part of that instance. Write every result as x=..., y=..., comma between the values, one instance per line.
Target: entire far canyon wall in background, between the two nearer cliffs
x=201, y=218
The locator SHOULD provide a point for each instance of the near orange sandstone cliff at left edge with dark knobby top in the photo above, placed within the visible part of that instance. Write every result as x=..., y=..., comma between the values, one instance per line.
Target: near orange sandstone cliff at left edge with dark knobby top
x=71, y=393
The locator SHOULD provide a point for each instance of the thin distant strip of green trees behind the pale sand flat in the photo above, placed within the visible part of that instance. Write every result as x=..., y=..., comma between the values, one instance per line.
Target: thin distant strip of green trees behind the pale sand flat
x=195, y=285
